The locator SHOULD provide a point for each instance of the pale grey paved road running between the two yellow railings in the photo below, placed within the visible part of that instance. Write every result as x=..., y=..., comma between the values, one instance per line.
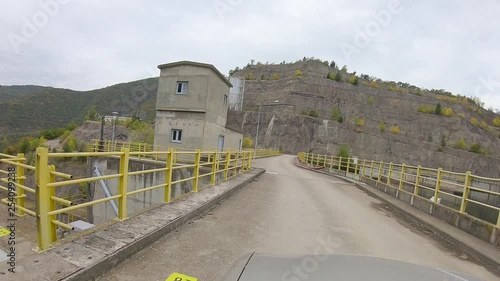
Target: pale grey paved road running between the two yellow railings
x=290, y=211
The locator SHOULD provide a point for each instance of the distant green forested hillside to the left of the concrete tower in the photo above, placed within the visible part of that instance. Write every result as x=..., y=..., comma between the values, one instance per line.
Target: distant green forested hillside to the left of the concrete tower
x=55, y=108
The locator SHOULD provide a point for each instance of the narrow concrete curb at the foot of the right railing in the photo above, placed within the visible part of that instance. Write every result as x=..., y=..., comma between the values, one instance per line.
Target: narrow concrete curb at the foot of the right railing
x=492, y=264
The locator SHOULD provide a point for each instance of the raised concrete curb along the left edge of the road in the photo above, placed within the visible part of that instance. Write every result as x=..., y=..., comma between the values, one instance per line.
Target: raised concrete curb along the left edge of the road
x=186, y=212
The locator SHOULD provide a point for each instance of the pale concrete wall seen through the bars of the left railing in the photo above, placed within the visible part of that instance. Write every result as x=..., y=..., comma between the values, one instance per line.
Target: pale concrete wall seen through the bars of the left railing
x=104, y=212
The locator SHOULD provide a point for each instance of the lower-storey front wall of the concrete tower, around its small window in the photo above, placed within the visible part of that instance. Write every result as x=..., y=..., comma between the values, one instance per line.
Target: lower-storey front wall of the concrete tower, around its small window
x=191, y=123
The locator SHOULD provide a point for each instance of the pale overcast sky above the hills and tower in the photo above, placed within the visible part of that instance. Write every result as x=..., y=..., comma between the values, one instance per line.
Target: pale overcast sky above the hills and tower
x=83, y=45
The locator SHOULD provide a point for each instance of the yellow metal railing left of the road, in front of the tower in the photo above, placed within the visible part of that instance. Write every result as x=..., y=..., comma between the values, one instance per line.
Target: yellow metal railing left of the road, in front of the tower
x=214, y=165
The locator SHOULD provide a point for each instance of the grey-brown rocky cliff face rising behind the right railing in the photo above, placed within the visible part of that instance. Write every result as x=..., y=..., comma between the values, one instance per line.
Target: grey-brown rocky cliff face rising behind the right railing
x=363, y=110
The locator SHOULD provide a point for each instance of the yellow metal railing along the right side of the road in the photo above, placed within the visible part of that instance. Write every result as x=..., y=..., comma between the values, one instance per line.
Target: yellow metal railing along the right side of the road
x=456, y=190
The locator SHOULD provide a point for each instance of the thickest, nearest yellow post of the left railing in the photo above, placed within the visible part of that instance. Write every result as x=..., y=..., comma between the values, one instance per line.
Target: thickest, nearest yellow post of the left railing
x=46, y=229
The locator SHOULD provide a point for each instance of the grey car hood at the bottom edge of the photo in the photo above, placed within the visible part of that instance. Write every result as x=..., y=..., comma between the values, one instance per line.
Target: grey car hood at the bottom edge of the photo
x=265, y=267
